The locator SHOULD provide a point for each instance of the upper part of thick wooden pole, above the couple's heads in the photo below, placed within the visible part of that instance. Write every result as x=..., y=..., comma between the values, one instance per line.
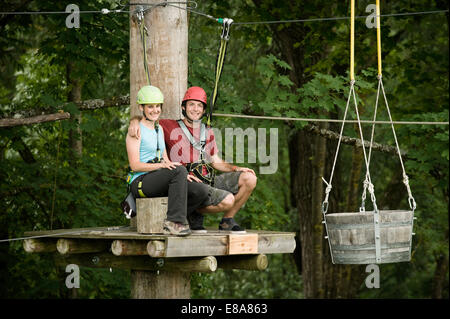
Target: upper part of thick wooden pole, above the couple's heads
x=167, y=47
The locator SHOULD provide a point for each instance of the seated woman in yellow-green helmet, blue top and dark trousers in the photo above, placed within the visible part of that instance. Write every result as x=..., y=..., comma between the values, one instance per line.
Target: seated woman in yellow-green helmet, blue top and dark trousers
x=153, y=174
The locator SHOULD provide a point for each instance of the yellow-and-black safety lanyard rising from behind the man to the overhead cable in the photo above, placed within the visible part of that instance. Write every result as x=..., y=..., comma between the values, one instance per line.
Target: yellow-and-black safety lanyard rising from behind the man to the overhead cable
x=224, y=37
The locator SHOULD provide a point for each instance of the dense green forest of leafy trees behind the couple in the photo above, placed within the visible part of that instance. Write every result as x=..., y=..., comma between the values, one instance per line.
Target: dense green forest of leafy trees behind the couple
x=71, y=173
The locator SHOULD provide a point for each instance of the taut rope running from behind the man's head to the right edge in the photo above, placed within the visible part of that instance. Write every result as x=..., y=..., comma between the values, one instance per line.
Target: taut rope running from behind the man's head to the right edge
x=327, y=120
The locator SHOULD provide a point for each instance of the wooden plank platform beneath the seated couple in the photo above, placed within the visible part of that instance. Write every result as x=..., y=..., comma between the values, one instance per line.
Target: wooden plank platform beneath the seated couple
x=213, y=243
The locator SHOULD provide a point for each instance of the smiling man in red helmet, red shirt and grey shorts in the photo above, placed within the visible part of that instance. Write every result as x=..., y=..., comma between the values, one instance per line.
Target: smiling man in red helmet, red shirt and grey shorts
x=230, y=190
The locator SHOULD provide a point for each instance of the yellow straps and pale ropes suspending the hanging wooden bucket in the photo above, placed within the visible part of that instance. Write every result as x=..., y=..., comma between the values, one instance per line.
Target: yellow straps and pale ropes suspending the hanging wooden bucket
x=367, y=184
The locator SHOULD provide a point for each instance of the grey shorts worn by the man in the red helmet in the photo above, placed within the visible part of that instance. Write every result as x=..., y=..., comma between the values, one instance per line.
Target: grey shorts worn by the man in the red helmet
x=224, y=184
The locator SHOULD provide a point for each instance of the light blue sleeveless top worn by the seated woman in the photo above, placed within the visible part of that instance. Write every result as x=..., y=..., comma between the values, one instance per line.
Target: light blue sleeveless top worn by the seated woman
x=147, y=149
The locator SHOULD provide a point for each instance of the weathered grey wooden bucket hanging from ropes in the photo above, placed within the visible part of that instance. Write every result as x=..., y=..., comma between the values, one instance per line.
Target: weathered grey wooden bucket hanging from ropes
x=352, y=237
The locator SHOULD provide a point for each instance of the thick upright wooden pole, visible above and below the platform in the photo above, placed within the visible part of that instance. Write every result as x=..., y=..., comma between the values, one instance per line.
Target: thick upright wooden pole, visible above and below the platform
x=167, y=45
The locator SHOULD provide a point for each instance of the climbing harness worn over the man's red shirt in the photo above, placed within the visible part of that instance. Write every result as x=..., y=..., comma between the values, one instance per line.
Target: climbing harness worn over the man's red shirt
x=202, y=169
